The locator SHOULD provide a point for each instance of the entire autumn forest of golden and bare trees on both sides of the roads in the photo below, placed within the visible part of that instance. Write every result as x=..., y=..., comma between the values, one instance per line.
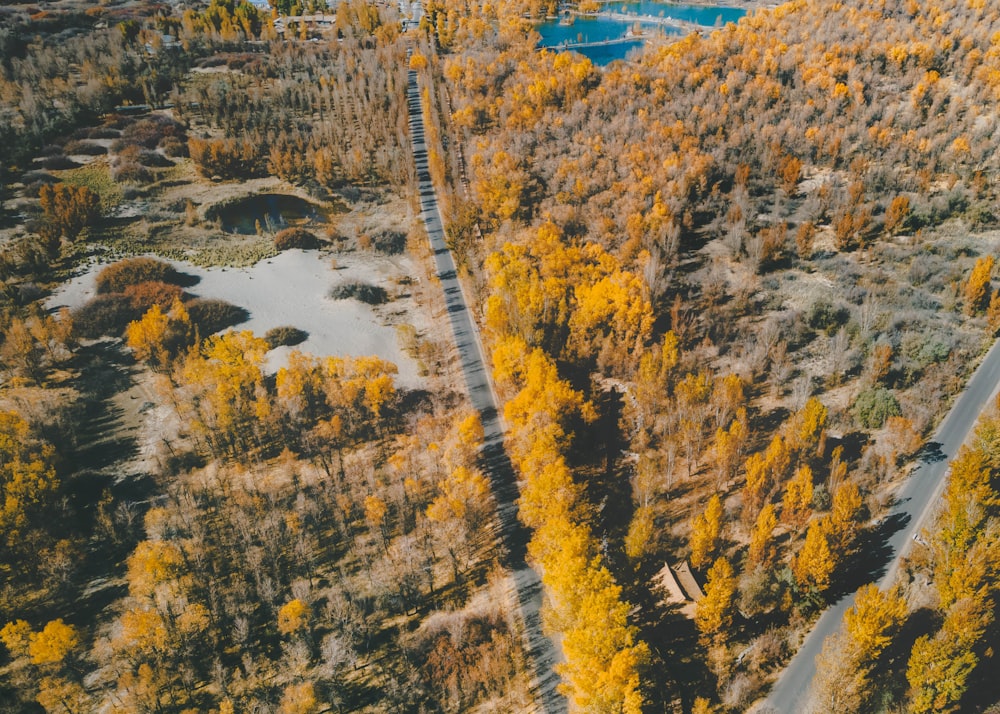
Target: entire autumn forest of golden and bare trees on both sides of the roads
x=728, y=287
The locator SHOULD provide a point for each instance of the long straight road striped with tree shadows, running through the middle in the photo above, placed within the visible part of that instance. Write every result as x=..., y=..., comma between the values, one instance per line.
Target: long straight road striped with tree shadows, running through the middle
x=541, y=650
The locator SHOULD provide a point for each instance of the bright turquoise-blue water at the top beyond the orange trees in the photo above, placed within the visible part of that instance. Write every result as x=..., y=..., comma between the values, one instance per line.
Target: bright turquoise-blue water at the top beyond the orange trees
x=598, y=29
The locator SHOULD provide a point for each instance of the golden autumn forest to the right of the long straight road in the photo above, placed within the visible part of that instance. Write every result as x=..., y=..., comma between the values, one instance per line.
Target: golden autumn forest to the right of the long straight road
x=765, y=254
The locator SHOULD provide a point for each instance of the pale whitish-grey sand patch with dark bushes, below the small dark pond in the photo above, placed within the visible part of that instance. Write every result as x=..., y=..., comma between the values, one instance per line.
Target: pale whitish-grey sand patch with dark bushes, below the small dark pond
x=292, y=289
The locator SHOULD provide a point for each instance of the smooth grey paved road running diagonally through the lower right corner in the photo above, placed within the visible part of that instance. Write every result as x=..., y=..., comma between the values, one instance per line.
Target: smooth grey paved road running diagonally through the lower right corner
x=915, y=502
